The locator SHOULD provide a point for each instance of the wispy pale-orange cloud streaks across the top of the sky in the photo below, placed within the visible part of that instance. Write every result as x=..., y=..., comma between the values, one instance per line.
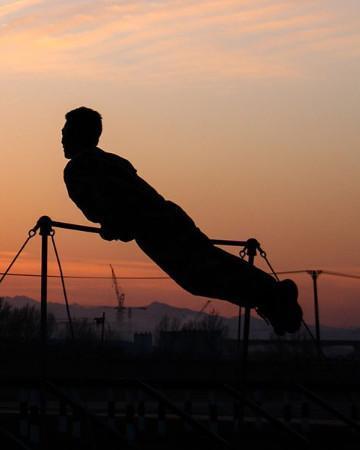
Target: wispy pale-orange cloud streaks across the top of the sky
x=158, y=41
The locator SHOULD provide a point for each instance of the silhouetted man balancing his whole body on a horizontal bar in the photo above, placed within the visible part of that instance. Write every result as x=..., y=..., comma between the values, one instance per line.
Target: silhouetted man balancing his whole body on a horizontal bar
x=108, y=191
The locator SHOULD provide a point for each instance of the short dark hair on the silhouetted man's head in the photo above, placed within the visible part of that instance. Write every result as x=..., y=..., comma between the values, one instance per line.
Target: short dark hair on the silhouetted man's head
x=87, y=123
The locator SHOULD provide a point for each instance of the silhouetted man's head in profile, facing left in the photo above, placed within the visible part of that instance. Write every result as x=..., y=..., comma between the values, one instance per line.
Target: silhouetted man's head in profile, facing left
x=81, y=131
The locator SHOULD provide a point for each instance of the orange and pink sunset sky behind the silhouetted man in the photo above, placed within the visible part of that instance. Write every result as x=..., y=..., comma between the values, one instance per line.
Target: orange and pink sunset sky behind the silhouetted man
x=244, y=112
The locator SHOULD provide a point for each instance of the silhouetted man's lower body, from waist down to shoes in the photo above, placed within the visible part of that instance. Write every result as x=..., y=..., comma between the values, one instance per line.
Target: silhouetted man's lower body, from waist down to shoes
x=203, y=269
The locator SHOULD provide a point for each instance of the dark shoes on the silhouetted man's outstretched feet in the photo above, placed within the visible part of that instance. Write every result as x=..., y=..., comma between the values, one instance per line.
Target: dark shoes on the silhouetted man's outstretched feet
x=282, y=309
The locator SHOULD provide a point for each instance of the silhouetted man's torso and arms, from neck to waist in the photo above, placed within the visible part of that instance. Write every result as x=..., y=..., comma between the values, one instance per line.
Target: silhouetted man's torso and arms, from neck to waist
x=108, y=190
